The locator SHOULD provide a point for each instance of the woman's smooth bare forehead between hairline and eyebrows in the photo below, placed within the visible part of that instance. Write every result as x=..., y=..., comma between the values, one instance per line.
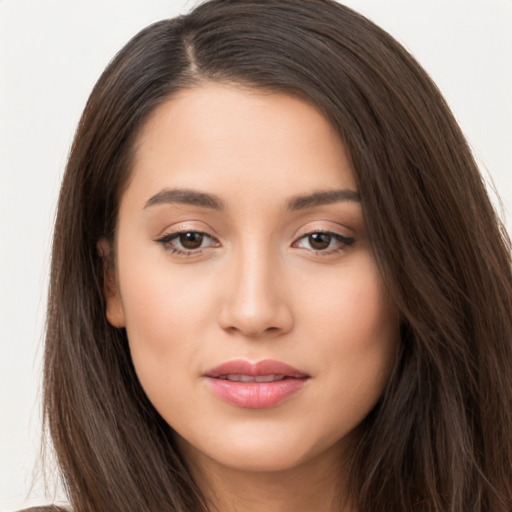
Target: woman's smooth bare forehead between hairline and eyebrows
x=227, y=139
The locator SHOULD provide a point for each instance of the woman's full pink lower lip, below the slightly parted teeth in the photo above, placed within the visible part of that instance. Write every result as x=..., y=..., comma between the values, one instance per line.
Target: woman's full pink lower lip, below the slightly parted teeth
x=256, y=395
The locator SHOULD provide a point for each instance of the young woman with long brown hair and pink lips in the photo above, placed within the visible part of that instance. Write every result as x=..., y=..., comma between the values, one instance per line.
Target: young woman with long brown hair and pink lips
x=277, y=279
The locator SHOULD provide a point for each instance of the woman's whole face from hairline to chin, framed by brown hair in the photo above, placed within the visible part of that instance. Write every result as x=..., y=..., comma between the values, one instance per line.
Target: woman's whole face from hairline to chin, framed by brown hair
x=258, y=322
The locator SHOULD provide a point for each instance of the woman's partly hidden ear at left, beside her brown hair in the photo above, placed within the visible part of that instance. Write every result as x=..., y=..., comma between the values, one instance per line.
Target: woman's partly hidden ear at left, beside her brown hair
x=114, y=310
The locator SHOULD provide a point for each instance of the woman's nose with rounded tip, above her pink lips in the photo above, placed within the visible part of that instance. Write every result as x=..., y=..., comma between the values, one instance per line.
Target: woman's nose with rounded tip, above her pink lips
x=255, y=302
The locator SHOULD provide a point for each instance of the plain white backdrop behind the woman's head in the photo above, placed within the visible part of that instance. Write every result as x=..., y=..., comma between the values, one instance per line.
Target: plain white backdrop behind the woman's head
x=51, y=54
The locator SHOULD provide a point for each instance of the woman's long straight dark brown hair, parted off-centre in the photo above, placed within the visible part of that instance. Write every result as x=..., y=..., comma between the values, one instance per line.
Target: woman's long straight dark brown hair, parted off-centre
x=440, y=438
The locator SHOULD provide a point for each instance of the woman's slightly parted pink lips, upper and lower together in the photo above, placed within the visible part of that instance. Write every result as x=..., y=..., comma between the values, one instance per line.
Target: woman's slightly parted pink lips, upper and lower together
x=255, y=386
